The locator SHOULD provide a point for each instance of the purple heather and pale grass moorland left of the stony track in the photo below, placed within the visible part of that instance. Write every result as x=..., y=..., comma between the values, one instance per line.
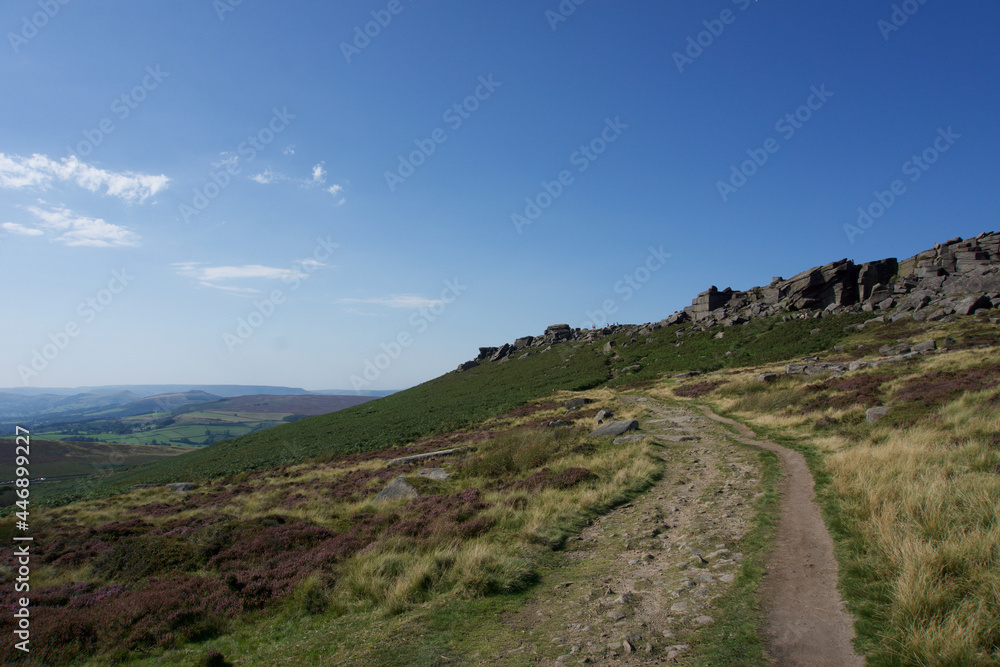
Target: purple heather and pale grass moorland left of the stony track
x=151, y=570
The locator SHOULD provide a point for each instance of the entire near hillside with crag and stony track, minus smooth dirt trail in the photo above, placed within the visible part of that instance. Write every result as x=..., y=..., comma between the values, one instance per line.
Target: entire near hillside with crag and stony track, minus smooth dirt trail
x=283, y=550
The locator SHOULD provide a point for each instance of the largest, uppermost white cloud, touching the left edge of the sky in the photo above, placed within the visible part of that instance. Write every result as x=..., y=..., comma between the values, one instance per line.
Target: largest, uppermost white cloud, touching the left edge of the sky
x=39, y=171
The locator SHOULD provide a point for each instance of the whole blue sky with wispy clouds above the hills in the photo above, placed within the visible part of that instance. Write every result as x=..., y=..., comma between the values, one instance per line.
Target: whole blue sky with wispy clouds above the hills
x=260, y=193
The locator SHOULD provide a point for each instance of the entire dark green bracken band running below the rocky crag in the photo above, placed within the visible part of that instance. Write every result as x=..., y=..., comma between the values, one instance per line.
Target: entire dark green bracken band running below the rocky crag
x=455, y=400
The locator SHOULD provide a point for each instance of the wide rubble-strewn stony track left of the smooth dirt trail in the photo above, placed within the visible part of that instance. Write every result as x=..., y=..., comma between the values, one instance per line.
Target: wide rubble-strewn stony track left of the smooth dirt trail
x=640, y=579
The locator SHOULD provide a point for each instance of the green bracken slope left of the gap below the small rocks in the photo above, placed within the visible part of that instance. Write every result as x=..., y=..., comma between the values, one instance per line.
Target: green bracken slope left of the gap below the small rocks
x=448, y=403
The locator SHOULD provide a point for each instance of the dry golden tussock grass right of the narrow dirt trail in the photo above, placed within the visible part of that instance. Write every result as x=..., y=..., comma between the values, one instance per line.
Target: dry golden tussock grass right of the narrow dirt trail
x=913, y=501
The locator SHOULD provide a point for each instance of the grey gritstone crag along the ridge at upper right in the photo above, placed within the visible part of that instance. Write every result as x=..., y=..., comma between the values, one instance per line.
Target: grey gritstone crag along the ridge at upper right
x=958, y=277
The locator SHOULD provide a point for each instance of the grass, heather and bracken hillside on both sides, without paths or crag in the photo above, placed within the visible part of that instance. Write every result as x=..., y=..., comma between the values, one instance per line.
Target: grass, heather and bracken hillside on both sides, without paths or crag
x=282, y=534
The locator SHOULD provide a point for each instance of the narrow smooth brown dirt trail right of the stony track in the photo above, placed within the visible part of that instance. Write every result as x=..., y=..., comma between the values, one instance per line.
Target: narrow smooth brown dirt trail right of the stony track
x=807, y=623
